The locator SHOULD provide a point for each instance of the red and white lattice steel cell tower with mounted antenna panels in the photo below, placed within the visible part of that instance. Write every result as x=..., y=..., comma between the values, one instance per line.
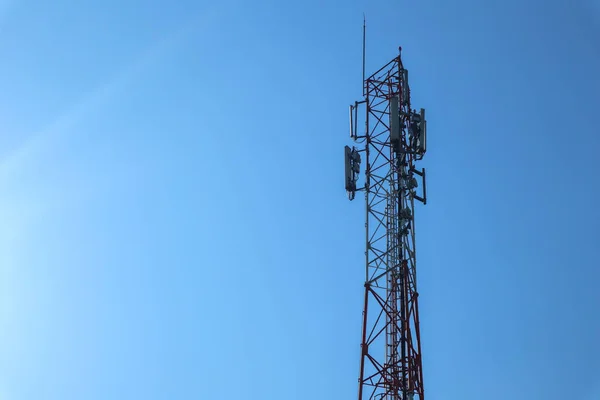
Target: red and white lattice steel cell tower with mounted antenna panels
x=393, y=141
